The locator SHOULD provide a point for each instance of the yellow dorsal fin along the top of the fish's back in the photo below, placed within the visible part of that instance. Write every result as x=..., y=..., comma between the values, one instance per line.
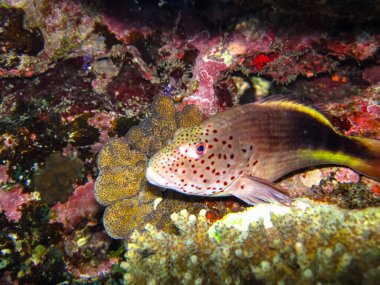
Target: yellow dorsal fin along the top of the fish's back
x=283, y=102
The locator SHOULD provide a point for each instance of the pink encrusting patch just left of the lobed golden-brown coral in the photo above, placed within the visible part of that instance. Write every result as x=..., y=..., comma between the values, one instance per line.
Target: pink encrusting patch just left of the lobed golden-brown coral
x=81, y=204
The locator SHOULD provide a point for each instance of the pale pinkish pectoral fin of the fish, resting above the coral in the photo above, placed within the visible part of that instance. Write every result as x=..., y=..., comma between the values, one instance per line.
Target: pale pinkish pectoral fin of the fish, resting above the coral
x=254, y=190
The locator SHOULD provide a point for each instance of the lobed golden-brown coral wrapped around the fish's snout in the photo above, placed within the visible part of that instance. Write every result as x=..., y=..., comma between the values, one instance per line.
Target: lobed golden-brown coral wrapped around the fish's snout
x=121, y=183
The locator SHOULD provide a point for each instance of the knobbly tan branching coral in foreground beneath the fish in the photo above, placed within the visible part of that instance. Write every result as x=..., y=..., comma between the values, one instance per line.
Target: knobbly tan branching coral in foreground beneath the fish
x=311, y=243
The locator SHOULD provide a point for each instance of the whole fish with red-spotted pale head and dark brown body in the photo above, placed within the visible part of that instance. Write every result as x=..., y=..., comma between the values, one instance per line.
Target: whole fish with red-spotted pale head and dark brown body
x=244, y=150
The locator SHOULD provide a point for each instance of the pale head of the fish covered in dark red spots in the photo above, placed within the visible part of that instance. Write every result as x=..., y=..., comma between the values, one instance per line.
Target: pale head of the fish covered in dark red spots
x=200, y=160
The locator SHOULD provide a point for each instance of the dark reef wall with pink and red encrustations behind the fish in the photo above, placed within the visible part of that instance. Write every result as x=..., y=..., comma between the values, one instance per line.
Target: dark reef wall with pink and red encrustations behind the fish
x=75, y=74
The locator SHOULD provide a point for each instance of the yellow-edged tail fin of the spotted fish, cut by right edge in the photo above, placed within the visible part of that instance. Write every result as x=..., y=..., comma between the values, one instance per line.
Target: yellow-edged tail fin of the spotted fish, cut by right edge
x=367, y=158
